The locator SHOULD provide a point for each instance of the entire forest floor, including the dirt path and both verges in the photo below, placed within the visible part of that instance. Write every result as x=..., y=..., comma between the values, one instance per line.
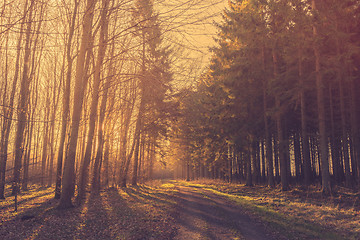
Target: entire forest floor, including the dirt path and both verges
x=185, y=210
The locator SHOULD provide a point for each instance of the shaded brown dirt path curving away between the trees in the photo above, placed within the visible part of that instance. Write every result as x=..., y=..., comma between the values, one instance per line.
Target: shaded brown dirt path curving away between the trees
x=205, y=215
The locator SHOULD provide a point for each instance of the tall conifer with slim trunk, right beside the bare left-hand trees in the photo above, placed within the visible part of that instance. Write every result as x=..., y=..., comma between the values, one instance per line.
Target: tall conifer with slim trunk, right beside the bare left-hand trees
x=154, y=77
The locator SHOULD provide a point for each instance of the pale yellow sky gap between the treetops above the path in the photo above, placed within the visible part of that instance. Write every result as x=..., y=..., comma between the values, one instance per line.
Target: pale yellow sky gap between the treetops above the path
x=192, y=29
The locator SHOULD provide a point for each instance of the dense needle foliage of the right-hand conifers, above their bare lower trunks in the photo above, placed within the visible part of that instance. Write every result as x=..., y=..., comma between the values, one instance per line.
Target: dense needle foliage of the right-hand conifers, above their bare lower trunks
x=265, y=54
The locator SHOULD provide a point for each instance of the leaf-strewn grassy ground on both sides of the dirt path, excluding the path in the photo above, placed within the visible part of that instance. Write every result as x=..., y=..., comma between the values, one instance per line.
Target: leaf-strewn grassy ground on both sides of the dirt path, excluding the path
x=149, y=212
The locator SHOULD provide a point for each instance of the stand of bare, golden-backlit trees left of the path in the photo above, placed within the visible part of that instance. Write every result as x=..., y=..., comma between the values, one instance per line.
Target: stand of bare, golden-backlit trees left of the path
x=87, y=90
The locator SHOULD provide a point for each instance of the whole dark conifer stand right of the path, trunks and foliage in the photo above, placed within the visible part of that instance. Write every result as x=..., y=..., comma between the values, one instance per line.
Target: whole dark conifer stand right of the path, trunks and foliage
x=279, y=101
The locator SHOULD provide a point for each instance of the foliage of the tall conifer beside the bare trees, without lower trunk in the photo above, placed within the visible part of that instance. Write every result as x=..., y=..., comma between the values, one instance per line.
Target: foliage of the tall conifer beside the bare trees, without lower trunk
x=155, y=73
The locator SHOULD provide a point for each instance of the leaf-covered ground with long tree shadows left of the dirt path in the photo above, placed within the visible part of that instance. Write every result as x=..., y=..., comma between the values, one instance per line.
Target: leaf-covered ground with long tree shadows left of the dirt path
x=143, y=212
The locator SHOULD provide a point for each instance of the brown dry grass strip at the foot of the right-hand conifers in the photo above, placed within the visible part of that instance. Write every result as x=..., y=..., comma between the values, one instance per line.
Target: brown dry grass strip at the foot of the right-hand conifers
x=337, y=213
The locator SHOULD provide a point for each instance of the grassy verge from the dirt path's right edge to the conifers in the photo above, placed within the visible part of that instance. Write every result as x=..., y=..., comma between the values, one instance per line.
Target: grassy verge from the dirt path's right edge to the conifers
x=294, y=213
